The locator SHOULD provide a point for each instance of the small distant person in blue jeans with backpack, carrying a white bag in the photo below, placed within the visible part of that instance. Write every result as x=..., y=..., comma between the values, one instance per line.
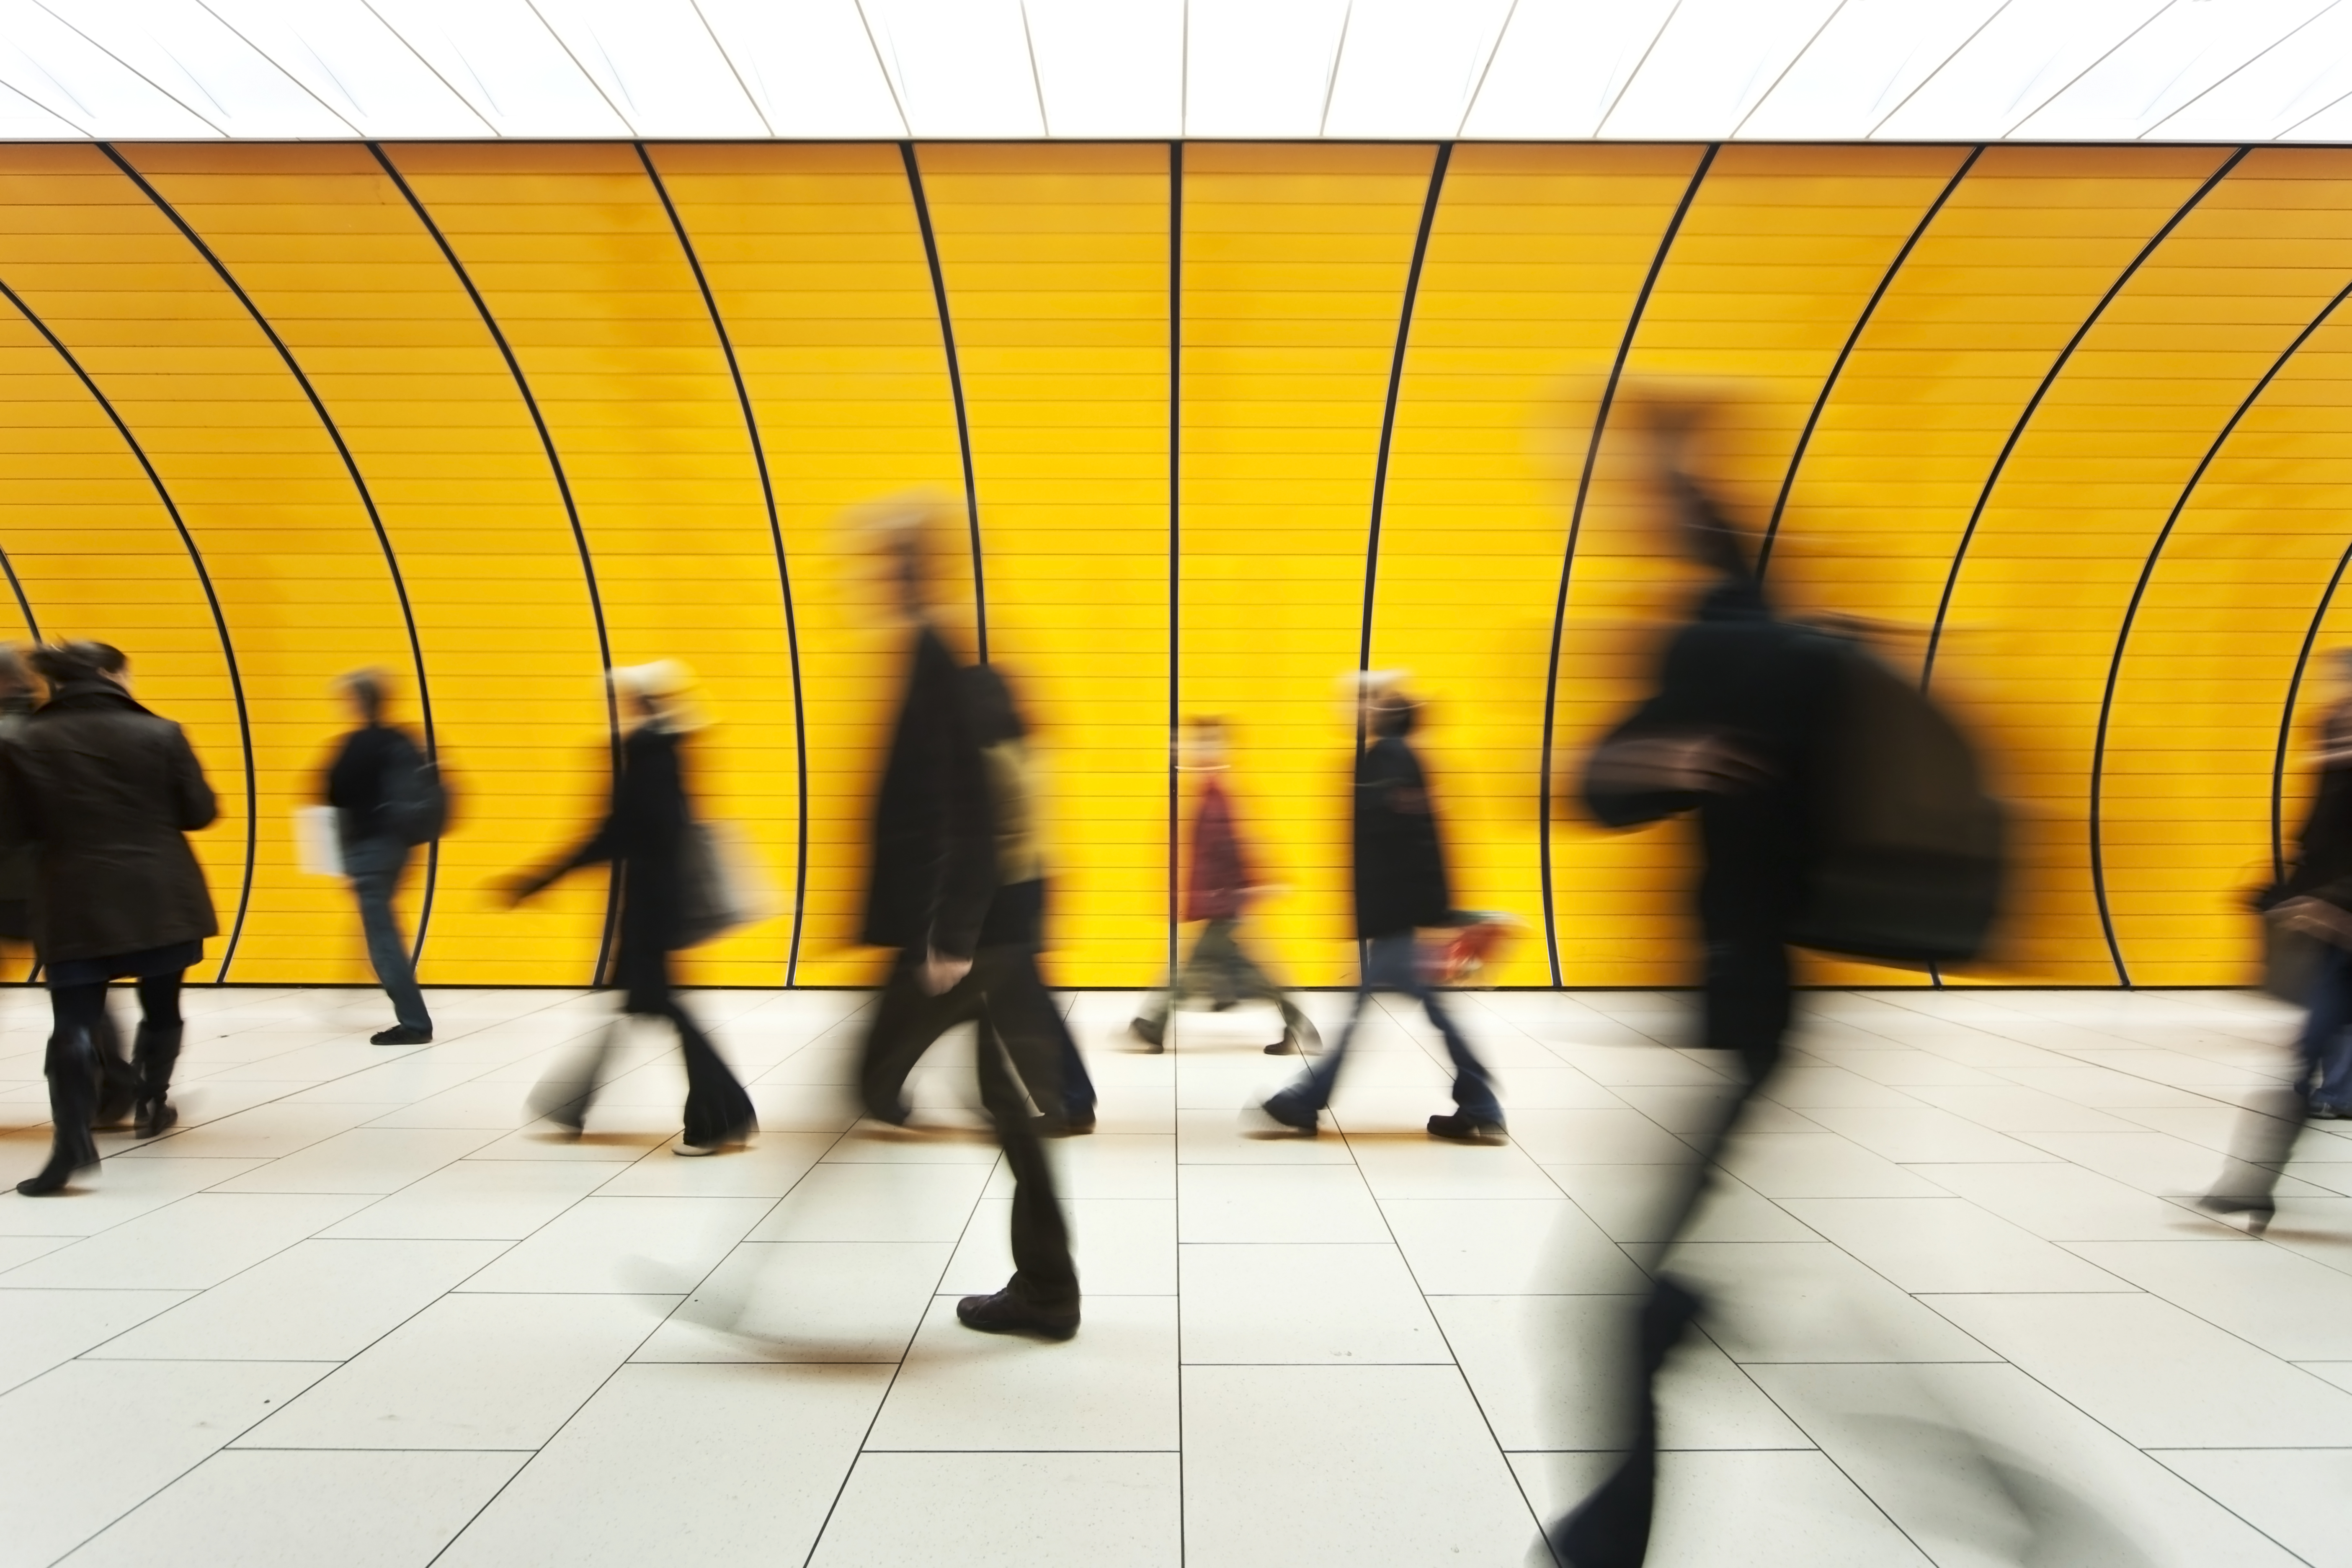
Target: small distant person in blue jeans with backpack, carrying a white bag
x=385, y=798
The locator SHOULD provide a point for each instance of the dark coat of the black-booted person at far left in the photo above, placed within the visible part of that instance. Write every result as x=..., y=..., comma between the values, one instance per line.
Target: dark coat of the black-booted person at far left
x=109, y=791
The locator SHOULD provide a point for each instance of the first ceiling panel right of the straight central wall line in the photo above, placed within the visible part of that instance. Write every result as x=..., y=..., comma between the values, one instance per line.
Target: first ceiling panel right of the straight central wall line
x=1262, y=67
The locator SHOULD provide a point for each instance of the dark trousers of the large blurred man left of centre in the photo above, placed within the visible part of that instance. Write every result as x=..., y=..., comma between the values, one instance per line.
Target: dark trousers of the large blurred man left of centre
x=1017, y=1059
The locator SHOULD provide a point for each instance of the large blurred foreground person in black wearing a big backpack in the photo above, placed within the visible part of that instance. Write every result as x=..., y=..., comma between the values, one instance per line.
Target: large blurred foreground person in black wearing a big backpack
x=1838, y=810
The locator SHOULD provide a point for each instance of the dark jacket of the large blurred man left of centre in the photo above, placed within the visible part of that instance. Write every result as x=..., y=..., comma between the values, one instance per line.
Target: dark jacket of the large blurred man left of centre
x=935, y=857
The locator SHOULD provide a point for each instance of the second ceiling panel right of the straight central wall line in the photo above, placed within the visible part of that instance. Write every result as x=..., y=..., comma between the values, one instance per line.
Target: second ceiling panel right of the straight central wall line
x=1408, y=69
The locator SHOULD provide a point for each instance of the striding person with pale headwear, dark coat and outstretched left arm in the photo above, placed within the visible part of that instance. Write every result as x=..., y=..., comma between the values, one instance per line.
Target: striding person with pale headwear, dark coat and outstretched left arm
x=650, y=840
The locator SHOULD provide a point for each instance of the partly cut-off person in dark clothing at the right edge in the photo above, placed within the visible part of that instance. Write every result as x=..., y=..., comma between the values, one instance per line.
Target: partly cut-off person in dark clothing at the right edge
x=2311, y=902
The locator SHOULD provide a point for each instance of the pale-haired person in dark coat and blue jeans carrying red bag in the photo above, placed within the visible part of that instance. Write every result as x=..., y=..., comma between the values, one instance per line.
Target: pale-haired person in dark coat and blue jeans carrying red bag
x=1401, y=887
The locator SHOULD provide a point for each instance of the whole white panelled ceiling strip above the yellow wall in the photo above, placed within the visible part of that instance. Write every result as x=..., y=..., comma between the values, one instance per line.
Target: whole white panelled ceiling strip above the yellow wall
x=1212, y=69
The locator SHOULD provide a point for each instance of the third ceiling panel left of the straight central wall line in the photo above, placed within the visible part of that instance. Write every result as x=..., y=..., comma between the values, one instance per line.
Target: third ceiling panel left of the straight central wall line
x=808, y=65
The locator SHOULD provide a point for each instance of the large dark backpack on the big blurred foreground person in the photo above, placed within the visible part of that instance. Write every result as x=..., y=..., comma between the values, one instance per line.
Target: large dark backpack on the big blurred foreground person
x=1906, y=845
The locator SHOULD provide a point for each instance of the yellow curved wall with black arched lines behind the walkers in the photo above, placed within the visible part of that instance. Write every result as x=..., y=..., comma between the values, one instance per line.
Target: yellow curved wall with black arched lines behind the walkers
x=2073, y=415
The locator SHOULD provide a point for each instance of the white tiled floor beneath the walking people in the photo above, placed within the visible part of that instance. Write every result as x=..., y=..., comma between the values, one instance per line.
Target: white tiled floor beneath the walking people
x=359, y=1308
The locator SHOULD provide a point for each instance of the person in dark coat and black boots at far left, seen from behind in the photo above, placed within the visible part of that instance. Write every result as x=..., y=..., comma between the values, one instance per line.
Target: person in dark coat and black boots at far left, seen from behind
x=109, y=791
